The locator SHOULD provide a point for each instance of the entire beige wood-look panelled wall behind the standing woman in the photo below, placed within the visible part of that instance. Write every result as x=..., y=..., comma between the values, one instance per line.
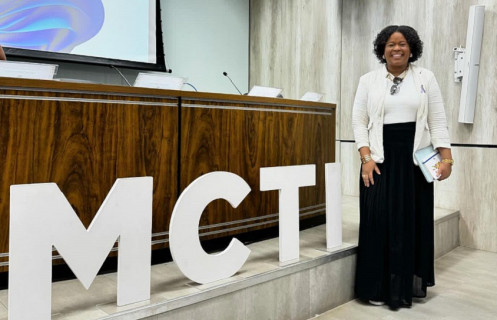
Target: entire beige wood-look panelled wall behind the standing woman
x=328, y=44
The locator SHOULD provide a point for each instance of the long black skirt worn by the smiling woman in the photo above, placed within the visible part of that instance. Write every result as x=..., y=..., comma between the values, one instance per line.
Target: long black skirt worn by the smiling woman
x=395, y=254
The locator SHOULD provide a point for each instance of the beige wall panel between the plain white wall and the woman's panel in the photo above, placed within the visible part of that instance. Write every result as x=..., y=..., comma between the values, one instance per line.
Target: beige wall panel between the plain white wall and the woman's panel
x=295, y=45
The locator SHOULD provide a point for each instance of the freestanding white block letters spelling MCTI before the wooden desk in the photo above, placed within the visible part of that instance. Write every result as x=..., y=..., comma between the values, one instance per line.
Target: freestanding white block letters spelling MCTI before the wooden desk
x=41, y=217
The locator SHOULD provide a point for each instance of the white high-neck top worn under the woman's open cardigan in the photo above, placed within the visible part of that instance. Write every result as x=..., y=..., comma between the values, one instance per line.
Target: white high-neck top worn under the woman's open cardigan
x=402, y=106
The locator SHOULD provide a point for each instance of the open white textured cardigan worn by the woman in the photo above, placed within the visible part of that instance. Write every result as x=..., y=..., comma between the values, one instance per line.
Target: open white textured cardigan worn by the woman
x=368, y=111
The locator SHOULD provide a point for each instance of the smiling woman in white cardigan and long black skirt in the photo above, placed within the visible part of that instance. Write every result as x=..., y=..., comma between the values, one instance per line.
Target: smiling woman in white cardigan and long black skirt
x=398, y=109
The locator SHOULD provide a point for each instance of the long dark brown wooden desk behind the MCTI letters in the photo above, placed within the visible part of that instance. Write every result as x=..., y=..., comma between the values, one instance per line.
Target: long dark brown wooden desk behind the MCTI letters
x=85, y=136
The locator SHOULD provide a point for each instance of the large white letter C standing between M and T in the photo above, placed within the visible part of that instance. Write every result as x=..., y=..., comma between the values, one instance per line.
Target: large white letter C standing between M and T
x=184, y=241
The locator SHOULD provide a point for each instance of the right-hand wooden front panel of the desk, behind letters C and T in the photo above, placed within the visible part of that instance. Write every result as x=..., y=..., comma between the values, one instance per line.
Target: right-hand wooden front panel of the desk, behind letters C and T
x=242, y=138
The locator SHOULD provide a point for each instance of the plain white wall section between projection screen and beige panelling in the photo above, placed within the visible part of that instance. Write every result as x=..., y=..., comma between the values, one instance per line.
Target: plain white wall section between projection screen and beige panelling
x=204, y=38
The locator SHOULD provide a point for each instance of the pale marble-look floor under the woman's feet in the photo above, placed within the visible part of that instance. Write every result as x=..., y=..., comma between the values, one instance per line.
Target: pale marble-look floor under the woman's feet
x=466, y=288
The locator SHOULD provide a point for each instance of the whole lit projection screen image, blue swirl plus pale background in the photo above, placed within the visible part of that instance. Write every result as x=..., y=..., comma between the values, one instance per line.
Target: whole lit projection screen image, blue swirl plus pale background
x=115, y=29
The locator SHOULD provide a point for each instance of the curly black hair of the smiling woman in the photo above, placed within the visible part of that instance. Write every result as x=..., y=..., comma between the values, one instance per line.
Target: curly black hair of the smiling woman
x=415, y=43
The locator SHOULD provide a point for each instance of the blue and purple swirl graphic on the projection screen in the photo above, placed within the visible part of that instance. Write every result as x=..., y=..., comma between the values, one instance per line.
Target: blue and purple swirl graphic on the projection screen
x=49, y=25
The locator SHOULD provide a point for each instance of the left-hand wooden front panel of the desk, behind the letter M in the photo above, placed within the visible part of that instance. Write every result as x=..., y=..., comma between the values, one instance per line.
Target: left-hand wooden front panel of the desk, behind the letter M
x=84, y=142
